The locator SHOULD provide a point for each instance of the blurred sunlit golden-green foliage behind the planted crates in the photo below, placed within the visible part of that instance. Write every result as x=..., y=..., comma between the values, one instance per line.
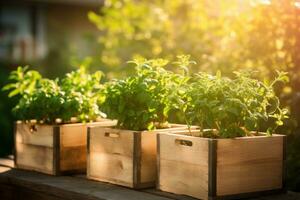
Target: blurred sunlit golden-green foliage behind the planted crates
x=223, y=35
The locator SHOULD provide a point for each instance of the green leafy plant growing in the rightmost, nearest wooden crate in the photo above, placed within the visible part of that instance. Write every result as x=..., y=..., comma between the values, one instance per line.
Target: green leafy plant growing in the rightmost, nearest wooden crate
x=232, y=107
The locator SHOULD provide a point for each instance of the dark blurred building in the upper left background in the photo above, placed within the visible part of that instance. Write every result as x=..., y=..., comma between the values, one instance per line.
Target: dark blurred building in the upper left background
x=33, y=30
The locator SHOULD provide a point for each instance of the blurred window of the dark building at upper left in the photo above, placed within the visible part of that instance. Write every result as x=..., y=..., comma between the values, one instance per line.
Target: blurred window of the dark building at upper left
x=22, y=33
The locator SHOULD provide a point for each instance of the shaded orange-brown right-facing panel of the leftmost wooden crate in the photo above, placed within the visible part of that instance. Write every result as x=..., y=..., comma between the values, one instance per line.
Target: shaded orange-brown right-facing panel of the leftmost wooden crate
x=72, y=147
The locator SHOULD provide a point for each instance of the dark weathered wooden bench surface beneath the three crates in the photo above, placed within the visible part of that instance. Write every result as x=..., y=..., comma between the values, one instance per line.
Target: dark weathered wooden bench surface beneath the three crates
x=20, y=184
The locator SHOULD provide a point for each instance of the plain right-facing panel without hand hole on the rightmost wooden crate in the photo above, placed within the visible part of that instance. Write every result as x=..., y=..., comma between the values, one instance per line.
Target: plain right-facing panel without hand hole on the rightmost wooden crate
x=246, y=165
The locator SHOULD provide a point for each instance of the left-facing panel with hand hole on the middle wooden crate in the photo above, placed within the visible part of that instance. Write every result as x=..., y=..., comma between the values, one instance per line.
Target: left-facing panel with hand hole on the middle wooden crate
x=111, y=155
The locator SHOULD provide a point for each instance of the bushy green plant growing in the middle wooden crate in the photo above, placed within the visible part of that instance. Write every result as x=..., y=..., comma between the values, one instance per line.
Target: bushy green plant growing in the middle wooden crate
x=144, y=100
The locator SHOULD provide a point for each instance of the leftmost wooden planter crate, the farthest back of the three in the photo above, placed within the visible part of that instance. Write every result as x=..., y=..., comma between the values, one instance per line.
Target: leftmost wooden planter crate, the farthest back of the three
x=52, y=149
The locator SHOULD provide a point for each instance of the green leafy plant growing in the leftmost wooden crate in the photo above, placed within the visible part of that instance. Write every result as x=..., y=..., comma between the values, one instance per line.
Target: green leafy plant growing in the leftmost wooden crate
x=75, y=96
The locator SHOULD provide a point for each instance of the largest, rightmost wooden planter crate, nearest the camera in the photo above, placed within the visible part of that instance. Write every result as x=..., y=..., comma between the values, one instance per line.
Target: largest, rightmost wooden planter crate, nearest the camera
x=221, y=168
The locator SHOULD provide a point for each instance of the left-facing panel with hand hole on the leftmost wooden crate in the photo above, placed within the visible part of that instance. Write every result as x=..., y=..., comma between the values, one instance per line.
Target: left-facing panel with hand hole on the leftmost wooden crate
x=34, y=148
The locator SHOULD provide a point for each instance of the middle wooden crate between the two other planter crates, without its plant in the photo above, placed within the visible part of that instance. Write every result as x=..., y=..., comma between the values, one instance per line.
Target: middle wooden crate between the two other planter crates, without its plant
x=123, y=157
